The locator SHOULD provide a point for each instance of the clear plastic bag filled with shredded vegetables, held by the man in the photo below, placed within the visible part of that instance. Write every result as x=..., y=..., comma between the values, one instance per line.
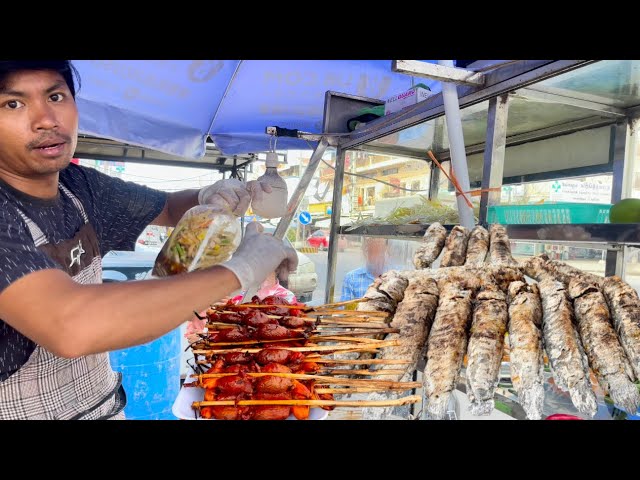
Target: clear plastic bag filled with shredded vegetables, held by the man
x=204, y=236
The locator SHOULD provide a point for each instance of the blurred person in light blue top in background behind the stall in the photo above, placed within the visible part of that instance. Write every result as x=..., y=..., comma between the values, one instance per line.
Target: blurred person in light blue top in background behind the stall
x=356, y=281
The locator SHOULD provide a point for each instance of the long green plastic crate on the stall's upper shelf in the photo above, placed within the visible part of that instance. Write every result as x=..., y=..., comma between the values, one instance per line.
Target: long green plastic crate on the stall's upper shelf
x=556, y=213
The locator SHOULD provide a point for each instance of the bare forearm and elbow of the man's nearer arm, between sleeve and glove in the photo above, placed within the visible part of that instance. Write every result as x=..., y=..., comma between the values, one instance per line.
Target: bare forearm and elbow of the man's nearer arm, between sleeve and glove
x=72, y=320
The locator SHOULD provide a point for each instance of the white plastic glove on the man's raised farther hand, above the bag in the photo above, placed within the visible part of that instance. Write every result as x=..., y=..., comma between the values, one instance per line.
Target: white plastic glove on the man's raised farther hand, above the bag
x=232, y=194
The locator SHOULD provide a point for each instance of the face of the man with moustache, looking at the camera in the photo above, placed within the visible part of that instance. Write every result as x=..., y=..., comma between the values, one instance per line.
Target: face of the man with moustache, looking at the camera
x=38, y=124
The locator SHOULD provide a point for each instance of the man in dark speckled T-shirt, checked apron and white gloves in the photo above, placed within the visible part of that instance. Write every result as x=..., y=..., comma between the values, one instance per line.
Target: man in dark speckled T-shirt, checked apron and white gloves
x=56, y=221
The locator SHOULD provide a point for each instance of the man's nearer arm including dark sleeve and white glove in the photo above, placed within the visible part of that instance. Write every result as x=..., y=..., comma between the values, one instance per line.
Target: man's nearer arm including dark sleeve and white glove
x=71, y=320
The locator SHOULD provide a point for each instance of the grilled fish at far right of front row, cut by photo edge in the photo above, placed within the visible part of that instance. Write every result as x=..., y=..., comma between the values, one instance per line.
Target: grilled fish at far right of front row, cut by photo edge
x=624, y=305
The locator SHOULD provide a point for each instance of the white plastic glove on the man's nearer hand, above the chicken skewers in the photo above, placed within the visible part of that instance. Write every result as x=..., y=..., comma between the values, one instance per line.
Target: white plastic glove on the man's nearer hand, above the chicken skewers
x=258, y=255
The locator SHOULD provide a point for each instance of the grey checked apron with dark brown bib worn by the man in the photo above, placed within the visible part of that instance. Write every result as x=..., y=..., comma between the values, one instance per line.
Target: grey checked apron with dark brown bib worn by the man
x=48, y=387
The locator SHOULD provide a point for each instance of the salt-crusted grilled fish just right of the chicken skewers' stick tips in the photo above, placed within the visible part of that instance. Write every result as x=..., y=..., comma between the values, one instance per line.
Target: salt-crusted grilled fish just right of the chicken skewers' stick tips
x=446, y=346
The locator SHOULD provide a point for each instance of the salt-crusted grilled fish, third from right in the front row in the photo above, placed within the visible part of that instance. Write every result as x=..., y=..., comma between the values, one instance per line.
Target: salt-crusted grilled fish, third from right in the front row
x=563, y=346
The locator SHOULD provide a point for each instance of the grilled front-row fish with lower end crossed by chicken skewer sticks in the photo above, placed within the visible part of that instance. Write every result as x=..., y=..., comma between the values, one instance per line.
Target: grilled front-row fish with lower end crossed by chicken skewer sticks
x=413, y=317
